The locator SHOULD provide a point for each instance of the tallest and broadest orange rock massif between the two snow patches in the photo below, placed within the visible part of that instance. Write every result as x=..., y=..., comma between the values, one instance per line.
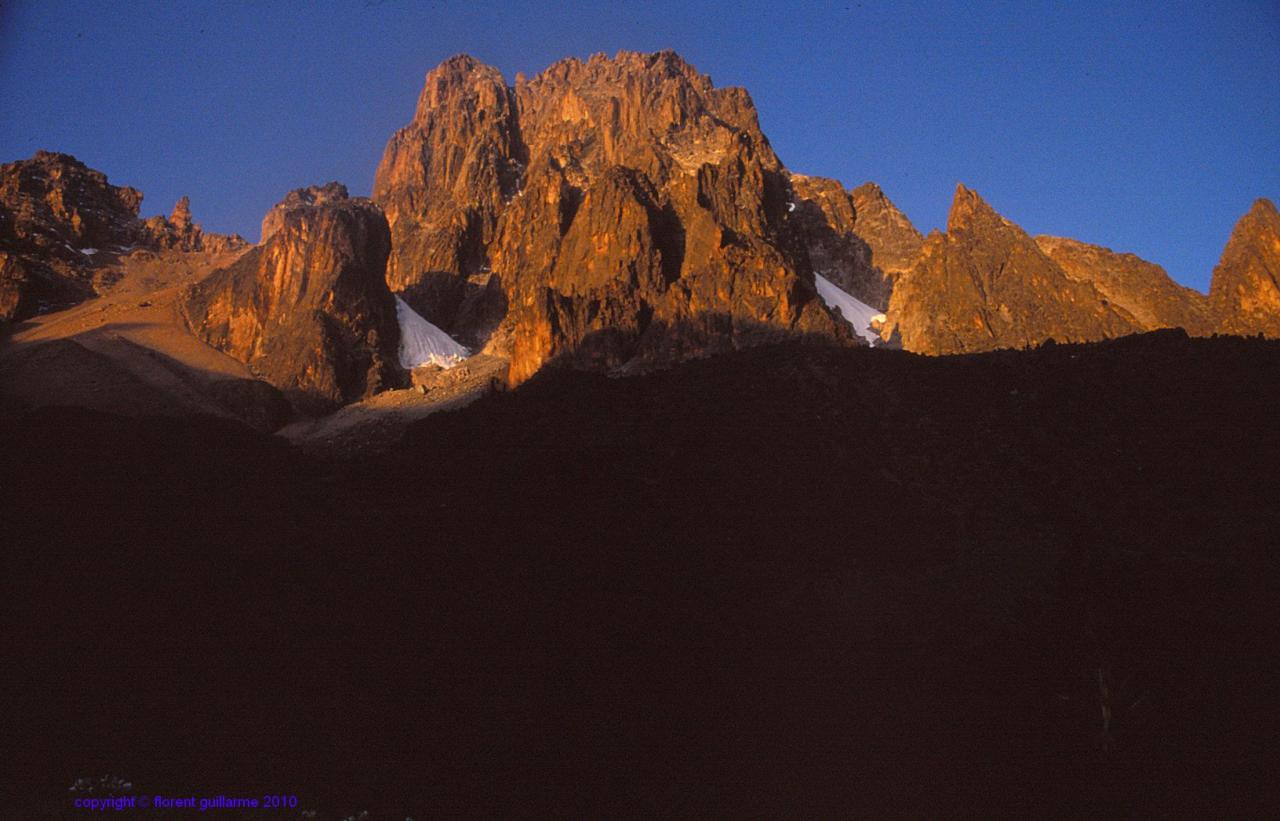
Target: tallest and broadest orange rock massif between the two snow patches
x=602, y=212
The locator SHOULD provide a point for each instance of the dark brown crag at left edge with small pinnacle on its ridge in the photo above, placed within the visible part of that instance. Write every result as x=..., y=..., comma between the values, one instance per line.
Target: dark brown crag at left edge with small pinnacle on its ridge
x=61, y=221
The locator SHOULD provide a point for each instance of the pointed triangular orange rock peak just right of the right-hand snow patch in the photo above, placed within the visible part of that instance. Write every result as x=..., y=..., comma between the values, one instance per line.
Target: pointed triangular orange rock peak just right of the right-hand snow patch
x=986, y=285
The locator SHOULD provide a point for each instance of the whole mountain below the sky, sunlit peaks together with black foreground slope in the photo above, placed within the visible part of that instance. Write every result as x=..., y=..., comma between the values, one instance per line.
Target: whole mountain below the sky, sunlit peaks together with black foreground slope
x=601, y=466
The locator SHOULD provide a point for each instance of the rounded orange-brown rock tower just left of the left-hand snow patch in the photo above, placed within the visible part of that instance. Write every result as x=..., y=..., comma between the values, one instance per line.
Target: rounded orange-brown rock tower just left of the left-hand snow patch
x=309, y=309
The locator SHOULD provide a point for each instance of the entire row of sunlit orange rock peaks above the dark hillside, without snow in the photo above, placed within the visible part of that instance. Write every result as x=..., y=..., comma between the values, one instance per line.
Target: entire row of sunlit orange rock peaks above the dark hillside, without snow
x=611, y=215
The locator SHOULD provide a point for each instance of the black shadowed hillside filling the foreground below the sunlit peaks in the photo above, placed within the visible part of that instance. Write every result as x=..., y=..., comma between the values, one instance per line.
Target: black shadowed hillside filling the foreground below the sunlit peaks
x=792, y=581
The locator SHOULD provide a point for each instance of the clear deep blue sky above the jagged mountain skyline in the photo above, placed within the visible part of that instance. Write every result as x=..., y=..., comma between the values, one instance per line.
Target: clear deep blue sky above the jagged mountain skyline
x=1146, y=127
